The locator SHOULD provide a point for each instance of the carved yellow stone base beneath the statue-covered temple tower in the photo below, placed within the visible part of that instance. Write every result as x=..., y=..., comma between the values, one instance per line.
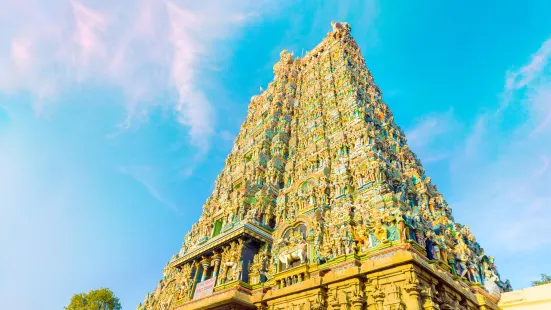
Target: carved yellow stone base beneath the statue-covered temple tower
x=399, y=277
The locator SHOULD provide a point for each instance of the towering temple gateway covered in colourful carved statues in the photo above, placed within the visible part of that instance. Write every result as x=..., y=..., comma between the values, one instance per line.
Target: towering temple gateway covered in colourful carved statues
x=322, y=205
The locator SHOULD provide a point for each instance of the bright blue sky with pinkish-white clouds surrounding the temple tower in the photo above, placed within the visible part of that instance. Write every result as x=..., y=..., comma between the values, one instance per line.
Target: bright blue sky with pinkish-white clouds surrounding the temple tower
x=116, y=117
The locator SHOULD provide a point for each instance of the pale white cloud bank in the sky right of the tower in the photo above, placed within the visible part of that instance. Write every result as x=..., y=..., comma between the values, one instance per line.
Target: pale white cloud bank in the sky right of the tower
x=500, y=180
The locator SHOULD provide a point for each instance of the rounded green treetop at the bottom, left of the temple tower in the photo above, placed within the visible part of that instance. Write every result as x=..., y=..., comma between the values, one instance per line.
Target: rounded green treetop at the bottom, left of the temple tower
x=102, y=299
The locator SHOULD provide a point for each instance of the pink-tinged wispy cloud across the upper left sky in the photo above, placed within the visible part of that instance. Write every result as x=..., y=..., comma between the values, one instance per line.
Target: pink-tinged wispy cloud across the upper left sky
x=144, y=48
